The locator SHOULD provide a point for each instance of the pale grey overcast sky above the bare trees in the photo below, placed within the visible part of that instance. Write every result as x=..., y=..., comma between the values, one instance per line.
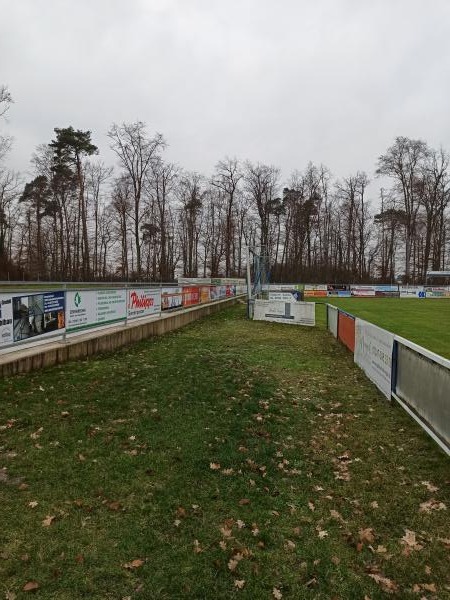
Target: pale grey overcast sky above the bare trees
x=280, y=81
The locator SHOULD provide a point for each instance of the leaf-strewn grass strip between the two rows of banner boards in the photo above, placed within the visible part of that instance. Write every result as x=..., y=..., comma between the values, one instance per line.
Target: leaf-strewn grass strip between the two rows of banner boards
x=230, y=459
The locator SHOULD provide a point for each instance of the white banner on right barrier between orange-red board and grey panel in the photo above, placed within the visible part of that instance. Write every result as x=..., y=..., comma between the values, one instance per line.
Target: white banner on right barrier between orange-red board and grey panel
x=373, y=353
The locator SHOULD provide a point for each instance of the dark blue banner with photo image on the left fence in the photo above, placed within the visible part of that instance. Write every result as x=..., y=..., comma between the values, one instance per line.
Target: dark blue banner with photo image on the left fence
x=37, y=315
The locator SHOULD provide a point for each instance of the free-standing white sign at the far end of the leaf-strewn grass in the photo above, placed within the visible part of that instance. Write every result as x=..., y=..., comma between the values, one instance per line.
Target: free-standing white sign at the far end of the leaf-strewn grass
x=298, y=313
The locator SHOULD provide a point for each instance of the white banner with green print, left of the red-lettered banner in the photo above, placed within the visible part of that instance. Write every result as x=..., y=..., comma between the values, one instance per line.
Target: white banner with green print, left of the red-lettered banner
x=86, y=308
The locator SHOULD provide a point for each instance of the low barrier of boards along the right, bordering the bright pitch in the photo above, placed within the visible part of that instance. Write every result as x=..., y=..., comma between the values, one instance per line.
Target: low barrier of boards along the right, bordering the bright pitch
x=419, y=380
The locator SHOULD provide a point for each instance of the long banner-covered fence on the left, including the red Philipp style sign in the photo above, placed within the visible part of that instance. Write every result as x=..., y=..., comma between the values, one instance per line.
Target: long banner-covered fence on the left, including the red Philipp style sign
x=32, y=315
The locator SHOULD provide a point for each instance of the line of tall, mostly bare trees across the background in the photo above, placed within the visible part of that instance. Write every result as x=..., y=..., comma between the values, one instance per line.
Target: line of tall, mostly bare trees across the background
x=148, y=219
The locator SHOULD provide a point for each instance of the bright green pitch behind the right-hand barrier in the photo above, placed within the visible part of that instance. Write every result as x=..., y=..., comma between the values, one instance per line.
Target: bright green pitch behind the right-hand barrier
x=426, y=322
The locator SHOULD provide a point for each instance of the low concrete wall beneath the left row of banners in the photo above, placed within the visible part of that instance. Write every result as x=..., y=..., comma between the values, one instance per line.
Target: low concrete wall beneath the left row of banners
x=107, y=340
